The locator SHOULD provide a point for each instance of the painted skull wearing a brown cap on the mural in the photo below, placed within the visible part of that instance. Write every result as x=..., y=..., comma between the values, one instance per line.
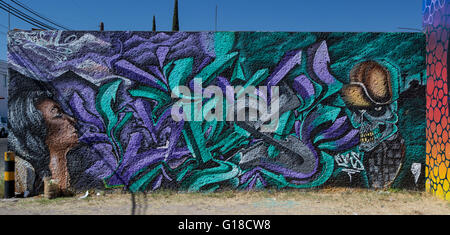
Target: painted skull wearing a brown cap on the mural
x=369, y=96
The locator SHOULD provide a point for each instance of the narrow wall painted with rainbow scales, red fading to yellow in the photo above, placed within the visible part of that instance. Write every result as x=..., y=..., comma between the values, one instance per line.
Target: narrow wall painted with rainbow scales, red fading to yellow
x=437, y=25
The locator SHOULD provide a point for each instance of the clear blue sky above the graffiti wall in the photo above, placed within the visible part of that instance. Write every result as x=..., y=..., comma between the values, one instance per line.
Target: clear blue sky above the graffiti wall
x=233, y=15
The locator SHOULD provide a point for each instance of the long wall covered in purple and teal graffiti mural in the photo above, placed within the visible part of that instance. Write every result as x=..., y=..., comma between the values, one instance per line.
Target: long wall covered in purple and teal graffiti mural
x=93, y=109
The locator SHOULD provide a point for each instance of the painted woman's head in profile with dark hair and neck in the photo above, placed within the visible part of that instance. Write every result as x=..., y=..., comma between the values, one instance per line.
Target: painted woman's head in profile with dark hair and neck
x=42, y=134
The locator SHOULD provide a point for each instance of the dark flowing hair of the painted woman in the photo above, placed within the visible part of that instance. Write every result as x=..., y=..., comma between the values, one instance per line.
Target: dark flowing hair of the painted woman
x=28, y=131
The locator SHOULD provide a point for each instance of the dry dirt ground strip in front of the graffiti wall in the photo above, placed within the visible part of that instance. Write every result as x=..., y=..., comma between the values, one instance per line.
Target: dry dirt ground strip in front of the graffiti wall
x=340, y=201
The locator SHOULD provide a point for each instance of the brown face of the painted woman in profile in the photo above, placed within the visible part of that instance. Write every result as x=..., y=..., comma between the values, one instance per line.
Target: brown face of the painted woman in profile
x=62, y=134
